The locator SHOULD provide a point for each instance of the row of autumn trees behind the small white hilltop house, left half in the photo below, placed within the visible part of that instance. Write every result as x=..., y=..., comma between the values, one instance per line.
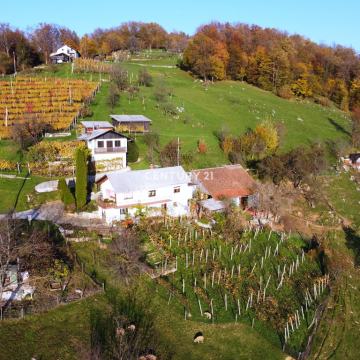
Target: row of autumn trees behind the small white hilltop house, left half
x=32, y=48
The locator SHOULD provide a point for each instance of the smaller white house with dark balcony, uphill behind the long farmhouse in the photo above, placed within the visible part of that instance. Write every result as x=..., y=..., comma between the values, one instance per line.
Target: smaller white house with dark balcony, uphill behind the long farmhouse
x=108, y=149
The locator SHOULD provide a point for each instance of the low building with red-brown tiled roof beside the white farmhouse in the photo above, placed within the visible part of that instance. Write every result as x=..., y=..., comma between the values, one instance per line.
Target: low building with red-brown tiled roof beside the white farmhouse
x=226, y=184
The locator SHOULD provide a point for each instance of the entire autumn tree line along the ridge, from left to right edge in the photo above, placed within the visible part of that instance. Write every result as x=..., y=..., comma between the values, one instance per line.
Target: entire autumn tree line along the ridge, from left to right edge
x=288, y=65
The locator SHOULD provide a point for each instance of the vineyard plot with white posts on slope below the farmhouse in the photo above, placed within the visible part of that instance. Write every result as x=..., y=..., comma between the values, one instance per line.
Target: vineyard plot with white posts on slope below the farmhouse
x=273, y=281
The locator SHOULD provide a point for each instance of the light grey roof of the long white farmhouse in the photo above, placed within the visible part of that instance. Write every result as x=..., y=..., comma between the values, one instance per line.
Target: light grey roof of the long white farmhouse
x=150, y=179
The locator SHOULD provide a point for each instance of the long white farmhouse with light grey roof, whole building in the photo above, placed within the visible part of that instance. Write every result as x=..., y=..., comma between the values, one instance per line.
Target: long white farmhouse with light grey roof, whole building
x=124, y=193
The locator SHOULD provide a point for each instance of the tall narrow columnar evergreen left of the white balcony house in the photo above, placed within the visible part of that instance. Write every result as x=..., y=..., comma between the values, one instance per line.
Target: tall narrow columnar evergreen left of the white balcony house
x=81, y=177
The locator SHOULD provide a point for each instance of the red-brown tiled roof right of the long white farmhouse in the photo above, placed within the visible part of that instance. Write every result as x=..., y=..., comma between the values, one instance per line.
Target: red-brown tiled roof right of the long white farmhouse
x=225, y=182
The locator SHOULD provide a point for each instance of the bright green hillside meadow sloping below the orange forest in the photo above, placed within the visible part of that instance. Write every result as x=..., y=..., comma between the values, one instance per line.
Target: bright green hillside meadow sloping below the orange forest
x=228, y=105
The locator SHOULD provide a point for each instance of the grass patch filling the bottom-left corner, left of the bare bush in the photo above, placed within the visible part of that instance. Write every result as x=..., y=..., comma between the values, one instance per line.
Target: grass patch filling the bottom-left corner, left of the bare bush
x=62, y=333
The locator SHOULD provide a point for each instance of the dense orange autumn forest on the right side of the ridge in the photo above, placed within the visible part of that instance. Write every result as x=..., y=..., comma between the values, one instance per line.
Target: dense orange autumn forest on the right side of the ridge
x=275, y=61
